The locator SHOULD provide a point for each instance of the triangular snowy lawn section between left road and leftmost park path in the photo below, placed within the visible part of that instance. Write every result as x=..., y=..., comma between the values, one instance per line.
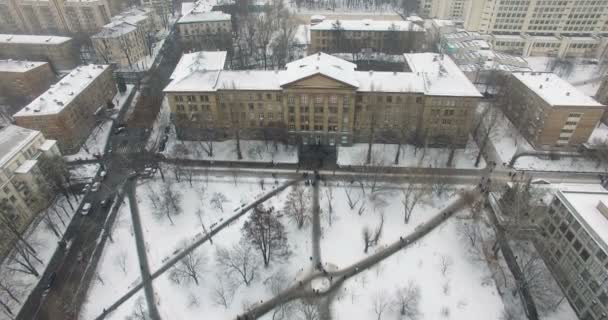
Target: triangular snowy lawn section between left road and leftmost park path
x=117, y=270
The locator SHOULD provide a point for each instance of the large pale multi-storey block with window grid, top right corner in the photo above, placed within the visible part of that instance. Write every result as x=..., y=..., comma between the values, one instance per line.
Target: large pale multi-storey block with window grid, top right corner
x=537, y=17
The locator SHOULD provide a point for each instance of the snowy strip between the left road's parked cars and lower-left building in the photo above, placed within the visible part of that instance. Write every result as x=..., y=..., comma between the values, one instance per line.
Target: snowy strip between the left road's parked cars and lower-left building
x=43, y=235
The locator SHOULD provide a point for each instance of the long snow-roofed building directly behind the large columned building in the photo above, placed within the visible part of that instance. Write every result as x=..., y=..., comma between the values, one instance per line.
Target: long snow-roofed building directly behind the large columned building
x=340, y=36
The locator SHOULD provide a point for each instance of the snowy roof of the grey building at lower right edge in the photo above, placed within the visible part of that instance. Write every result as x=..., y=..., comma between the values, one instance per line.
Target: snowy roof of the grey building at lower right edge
x=582, y=201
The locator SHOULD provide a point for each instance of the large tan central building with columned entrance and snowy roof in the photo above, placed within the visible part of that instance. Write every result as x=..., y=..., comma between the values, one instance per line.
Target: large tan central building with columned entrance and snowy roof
x=321, y=99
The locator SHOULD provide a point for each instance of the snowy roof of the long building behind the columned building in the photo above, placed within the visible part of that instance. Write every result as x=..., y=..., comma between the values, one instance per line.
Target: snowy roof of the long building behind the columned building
x=368, y=25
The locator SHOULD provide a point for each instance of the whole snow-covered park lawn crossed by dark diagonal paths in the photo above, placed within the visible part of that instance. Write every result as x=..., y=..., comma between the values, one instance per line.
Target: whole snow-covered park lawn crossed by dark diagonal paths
x=221, y=296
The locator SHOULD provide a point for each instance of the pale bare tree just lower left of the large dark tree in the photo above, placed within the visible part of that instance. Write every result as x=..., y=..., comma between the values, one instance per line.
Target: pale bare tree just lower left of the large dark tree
x=238, y=261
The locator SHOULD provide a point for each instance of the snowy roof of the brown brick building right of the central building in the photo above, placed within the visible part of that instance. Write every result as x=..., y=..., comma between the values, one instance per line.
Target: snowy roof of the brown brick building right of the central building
x=554, y=90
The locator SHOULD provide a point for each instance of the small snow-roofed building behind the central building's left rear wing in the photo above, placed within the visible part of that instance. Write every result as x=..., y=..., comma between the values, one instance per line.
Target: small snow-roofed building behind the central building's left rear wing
x=202, y=29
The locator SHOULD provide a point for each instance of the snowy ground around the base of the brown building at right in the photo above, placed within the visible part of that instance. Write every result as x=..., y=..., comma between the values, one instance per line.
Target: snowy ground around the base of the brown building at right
x=507, y=141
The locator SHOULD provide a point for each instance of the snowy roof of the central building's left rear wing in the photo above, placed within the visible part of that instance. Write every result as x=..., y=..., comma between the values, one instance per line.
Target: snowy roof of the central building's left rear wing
x=201, y=60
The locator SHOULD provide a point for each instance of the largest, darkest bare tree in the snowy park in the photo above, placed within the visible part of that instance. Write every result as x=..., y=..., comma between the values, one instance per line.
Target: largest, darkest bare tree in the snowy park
x=266, y=233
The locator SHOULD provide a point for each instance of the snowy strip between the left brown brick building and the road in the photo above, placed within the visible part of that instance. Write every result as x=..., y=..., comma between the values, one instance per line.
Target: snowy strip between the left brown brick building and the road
x=98, y=138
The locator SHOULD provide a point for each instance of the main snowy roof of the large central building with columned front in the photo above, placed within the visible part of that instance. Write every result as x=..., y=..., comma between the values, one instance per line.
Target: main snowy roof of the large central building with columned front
x=451, y=82
